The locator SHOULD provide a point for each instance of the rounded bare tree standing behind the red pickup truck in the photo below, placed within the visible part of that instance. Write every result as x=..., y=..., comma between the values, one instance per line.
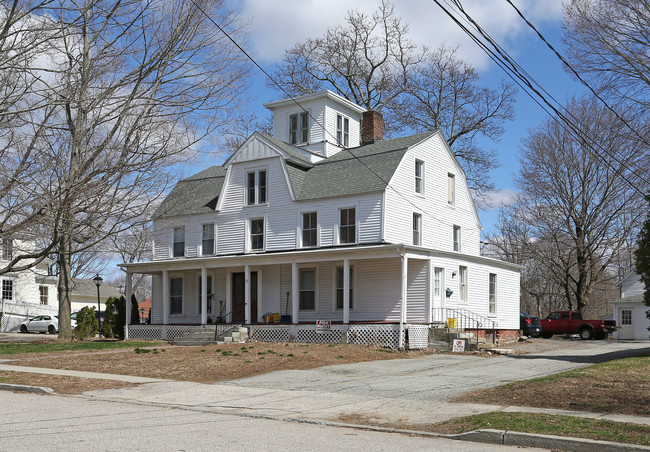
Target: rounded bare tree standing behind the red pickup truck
x=579, y=195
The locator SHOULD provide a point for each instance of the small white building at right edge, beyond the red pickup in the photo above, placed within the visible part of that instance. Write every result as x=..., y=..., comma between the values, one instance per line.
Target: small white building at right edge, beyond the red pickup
x=630, y=311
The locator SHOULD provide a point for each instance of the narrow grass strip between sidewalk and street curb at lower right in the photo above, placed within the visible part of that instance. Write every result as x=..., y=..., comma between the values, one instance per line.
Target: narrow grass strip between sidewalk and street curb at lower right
x=550, y=425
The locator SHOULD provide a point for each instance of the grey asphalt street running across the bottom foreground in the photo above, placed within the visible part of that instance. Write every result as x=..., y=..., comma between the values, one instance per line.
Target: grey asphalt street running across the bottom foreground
x=60, y=423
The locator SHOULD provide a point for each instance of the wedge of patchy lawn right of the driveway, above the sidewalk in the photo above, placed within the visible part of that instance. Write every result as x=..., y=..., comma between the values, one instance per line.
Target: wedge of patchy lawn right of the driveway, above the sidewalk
x=620, y=386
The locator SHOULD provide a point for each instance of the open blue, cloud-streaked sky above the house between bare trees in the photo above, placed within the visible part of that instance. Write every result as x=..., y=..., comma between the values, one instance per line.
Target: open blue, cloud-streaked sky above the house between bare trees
x=276, y=25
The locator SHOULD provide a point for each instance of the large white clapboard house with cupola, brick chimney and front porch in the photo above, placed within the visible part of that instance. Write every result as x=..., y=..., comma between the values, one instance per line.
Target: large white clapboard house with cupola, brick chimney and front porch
x=324, y=220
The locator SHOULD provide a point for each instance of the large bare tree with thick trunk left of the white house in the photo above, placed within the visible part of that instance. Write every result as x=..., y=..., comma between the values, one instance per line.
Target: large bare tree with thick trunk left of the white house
x=126, y=90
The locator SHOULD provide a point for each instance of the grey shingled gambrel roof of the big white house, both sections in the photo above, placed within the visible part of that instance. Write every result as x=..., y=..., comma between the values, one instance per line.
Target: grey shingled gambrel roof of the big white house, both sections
x=364, y=169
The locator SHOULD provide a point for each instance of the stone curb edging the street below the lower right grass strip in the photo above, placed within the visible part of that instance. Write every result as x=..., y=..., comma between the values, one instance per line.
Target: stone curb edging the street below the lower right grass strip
x=545, y=441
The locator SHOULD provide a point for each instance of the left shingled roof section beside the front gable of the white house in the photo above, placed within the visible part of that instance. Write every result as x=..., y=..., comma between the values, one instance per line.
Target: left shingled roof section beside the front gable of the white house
x=194, y=195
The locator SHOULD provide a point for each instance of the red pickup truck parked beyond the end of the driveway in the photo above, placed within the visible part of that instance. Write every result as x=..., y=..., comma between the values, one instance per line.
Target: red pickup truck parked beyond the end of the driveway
x=570, y=322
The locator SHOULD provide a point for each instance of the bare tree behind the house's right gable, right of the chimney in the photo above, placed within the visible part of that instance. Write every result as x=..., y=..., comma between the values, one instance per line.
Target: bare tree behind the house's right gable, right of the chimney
x=443, y=94
